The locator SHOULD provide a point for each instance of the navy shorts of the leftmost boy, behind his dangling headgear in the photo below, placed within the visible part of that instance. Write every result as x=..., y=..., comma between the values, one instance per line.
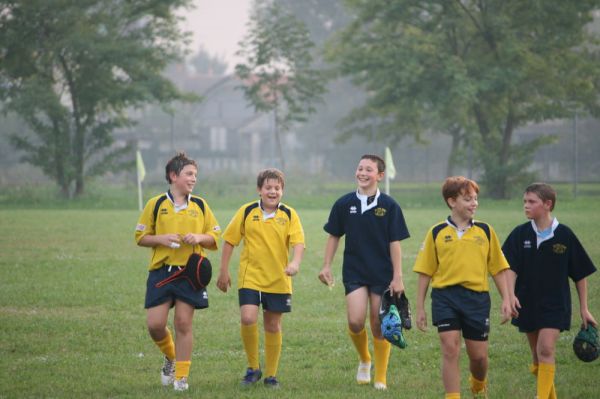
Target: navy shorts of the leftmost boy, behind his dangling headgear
x=179, y=289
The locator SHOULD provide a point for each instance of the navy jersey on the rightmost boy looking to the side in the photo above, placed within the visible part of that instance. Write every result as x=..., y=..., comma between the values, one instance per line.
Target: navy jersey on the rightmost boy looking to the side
x=543, y=273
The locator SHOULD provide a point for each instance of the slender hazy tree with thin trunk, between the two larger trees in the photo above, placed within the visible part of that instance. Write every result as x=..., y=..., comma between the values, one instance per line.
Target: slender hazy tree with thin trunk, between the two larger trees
x=278, y=74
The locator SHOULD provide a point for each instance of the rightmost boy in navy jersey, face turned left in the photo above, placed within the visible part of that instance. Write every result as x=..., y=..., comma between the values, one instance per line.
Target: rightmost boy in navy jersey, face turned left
x=543, y=255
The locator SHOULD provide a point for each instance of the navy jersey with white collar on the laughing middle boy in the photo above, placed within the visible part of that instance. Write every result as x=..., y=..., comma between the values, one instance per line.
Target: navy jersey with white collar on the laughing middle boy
x=368, y=235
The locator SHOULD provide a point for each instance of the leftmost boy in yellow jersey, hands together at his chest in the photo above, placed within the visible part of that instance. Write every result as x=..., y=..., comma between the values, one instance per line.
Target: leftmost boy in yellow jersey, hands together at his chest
x=175, y=224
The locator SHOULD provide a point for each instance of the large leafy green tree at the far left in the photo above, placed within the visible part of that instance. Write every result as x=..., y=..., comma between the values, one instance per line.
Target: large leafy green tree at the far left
x=70, y=69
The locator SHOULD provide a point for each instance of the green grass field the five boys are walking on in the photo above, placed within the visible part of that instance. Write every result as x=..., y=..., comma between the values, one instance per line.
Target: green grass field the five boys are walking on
x=72, y=322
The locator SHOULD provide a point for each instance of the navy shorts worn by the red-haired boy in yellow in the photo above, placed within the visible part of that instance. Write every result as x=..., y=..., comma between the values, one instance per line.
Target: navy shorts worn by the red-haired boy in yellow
x=458, y=308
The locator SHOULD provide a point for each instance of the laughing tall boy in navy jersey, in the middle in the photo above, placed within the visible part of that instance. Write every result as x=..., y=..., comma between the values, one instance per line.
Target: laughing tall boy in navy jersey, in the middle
x=374, y=226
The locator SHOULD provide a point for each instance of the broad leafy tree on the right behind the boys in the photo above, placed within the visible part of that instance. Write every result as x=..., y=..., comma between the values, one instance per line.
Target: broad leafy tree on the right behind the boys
x=476, y=68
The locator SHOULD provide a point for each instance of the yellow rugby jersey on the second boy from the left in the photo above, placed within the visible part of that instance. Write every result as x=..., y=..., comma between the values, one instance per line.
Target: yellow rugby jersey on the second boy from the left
x=267, y=242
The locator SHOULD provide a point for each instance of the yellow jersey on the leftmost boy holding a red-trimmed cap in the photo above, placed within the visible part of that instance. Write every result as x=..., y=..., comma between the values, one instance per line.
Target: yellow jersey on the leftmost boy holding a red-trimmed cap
x=159, y=217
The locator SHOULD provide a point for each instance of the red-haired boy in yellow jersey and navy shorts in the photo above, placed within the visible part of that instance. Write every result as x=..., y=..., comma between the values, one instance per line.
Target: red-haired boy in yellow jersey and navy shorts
x=456, y=257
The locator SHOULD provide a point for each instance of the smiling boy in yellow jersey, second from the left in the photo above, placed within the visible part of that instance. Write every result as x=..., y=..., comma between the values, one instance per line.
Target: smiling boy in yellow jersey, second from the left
x=268, y=229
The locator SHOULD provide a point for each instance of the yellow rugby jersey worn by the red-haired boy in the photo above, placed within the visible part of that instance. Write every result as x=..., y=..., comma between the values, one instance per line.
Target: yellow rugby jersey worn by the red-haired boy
x=465, y=261
